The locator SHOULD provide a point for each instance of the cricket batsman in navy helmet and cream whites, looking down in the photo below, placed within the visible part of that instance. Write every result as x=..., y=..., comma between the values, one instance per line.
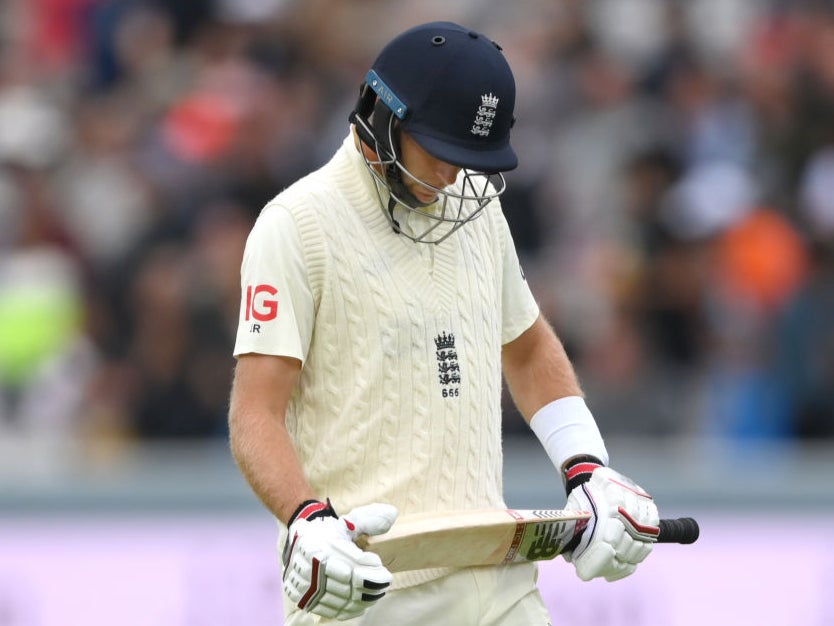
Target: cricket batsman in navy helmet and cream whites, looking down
x=382, y=307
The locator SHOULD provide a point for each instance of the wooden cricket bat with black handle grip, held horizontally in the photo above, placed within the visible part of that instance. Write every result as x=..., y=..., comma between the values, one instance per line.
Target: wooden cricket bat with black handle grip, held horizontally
x=491, y=537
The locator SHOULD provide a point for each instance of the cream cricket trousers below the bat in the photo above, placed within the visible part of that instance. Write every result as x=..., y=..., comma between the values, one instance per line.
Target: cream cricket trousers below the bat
x=483, y=596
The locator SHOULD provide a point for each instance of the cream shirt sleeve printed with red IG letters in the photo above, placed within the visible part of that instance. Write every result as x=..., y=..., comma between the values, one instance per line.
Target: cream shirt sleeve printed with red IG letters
x=276, y=307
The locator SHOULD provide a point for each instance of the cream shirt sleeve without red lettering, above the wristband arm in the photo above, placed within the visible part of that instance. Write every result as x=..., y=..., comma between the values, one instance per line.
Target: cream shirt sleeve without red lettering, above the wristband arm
x=519, y=306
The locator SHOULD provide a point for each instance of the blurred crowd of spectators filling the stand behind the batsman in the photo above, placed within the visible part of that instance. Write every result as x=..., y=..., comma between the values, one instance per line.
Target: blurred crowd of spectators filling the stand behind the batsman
x=674, y=206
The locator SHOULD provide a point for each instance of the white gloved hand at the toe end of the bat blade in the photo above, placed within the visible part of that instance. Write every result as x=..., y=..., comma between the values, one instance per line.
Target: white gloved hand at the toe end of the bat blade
x=324, y=571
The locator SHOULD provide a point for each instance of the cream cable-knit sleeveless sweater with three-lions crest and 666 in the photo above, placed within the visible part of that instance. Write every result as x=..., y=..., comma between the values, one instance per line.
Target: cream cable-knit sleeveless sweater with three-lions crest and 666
x=399, y=398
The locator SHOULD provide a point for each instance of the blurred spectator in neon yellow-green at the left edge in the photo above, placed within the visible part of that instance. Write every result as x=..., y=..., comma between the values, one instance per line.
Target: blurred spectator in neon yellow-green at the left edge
x=45, y=359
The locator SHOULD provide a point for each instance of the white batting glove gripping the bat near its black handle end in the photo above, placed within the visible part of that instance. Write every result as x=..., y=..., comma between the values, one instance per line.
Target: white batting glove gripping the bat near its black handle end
x=624, y=525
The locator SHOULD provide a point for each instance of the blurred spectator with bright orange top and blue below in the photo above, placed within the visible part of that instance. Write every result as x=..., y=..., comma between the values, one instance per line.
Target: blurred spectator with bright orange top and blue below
x=760, y=264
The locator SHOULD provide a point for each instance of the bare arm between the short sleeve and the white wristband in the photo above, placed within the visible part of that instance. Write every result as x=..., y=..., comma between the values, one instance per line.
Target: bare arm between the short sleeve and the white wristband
x=537, y=369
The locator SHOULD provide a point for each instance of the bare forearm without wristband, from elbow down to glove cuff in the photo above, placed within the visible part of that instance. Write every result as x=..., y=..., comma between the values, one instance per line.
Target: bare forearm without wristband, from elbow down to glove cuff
x=266, y=457
